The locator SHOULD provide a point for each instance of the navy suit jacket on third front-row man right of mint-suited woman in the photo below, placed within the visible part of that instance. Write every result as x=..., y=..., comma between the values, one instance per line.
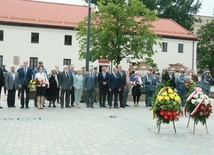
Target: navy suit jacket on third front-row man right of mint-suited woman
x=114, y=82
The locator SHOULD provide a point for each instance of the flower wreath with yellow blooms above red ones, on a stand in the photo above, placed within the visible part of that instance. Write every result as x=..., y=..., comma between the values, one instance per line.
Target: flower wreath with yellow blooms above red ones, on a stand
x=166, y=107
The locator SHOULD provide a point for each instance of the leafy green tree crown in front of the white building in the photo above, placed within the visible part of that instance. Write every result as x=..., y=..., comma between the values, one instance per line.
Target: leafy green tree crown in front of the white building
x=119, y=30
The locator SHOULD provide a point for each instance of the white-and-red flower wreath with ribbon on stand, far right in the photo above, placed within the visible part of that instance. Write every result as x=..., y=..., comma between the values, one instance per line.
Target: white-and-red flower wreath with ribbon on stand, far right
x=198, y=105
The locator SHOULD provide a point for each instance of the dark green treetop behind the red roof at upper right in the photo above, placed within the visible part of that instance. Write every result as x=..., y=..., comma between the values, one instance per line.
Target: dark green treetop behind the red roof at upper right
x=181, y=11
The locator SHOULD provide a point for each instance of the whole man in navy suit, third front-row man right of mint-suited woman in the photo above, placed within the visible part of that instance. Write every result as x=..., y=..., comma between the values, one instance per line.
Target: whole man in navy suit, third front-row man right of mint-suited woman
x=114, y=86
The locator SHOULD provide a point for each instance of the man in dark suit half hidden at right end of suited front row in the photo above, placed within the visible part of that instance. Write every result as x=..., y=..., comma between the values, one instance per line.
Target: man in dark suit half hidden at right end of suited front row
x=123, y=86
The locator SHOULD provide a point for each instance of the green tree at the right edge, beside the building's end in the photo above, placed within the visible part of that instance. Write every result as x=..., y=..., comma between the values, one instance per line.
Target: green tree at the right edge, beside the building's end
x=205, y=50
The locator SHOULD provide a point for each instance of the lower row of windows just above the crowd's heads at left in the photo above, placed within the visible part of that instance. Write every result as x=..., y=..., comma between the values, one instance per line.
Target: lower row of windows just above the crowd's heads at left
x=34, y=61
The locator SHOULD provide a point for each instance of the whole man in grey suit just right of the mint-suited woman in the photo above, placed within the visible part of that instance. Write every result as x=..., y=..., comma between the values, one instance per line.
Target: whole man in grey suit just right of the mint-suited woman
x=90, y=85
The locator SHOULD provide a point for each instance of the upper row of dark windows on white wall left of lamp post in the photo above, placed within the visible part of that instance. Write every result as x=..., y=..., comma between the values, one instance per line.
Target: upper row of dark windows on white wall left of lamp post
x=35, y=38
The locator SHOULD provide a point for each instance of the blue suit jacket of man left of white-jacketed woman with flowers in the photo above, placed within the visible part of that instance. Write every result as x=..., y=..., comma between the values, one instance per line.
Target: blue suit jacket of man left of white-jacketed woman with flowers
x=25, y=78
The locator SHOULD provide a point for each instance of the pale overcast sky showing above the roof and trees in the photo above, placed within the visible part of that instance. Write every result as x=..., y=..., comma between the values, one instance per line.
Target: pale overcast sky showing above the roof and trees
x=207, y=7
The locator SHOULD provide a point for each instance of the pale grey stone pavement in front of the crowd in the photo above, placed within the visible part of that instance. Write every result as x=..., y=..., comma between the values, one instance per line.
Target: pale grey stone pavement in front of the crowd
x=56, y=131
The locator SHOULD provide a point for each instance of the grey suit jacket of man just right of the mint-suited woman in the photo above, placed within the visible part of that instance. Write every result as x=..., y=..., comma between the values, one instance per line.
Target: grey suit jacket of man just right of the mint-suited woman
x=90, y=83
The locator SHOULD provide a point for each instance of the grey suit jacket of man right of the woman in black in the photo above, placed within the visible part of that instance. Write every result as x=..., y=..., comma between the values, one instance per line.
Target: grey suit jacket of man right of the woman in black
x=66, y=82
